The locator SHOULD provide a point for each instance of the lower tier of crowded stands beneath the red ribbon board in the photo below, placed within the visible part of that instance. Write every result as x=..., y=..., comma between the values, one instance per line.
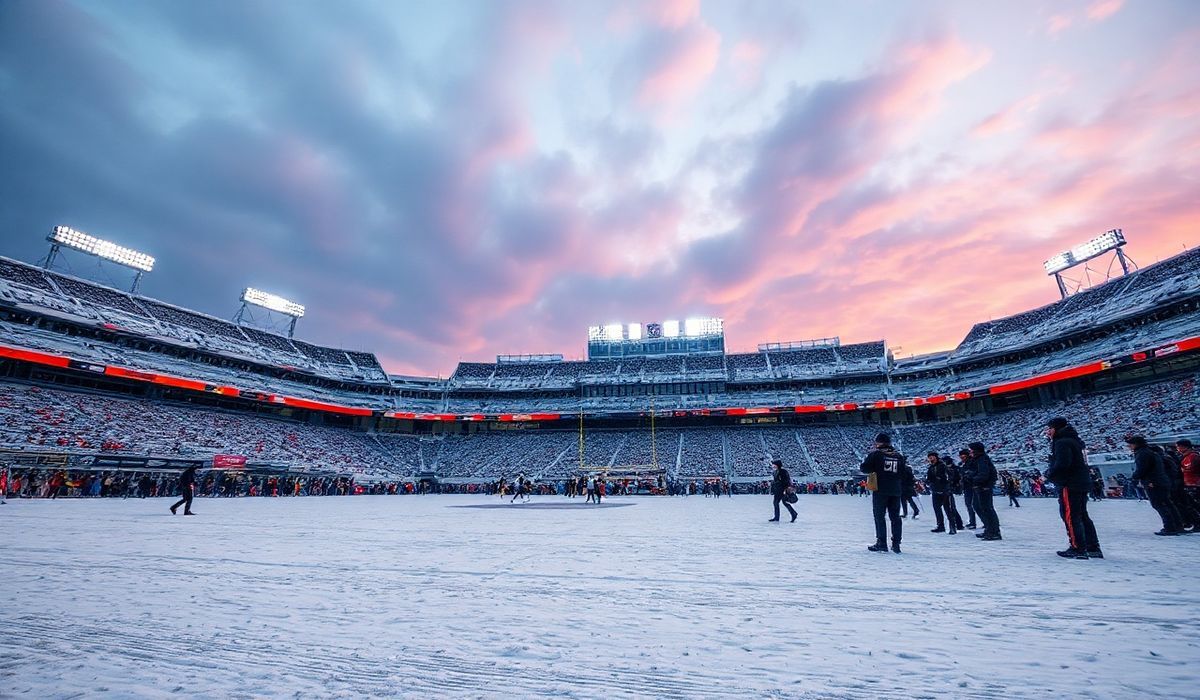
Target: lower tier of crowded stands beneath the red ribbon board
x=51, y=420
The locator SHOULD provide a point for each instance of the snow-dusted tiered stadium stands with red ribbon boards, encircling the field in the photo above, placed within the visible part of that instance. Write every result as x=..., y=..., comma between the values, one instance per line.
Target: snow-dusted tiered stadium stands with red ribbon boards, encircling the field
x=88, y=366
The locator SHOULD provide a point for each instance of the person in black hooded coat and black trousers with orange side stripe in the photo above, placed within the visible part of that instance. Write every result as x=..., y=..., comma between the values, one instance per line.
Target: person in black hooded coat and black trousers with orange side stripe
x=1070, y=474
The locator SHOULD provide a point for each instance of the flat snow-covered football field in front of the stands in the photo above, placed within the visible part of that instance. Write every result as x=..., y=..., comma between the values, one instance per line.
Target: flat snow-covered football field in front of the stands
x=416, y=597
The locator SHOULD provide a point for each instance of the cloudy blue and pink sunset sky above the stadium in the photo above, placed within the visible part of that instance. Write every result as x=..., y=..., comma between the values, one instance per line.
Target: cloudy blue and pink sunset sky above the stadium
x=445, y=182
